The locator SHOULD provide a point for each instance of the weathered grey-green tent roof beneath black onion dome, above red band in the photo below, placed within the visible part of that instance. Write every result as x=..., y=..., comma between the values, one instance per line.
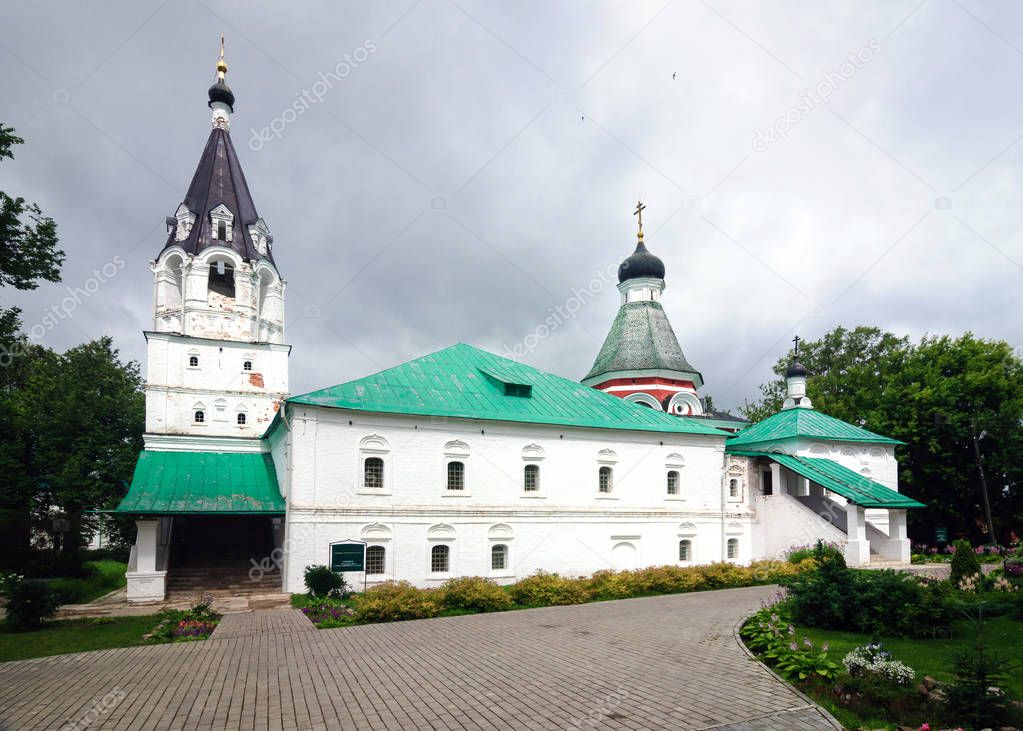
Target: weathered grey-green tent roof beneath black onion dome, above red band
x=642, y=339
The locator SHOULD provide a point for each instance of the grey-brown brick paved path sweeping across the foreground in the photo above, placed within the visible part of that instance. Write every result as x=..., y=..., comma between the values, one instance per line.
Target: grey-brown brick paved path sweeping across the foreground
x=662, y=663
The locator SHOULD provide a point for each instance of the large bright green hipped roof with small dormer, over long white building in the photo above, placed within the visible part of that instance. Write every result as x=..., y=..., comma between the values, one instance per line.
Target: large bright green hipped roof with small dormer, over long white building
x=467, y=383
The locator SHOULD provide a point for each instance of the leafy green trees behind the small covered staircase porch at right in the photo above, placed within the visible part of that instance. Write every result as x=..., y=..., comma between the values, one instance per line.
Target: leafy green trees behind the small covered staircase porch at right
x=938, y=396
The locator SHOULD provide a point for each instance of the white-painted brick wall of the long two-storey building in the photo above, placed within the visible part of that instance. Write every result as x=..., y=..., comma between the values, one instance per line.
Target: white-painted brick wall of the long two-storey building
x=568, y=527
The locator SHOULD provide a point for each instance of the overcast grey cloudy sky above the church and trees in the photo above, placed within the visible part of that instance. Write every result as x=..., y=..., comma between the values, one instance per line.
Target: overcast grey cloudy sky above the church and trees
x=468, y=168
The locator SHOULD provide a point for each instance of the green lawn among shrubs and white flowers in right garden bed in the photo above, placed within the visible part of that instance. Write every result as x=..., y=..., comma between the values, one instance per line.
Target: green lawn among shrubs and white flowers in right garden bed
x=936, y=658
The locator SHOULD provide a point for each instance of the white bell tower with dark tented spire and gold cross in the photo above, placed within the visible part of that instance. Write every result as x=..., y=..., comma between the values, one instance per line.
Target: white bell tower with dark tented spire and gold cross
x=217, y=358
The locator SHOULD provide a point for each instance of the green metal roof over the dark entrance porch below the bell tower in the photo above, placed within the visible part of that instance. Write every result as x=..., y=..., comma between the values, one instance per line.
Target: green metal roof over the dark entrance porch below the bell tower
x=182, y=483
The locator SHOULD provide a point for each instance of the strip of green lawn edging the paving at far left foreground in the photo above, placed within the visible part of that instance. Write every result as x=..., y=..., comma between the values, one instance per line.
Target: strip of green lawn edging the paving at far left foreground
x=76, y=636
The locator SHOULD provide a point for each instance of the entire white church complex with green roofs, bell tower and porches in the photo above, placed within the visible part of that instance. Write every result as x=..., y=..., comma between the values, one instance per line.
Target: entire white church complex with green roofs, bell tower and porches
x=460, y=463
